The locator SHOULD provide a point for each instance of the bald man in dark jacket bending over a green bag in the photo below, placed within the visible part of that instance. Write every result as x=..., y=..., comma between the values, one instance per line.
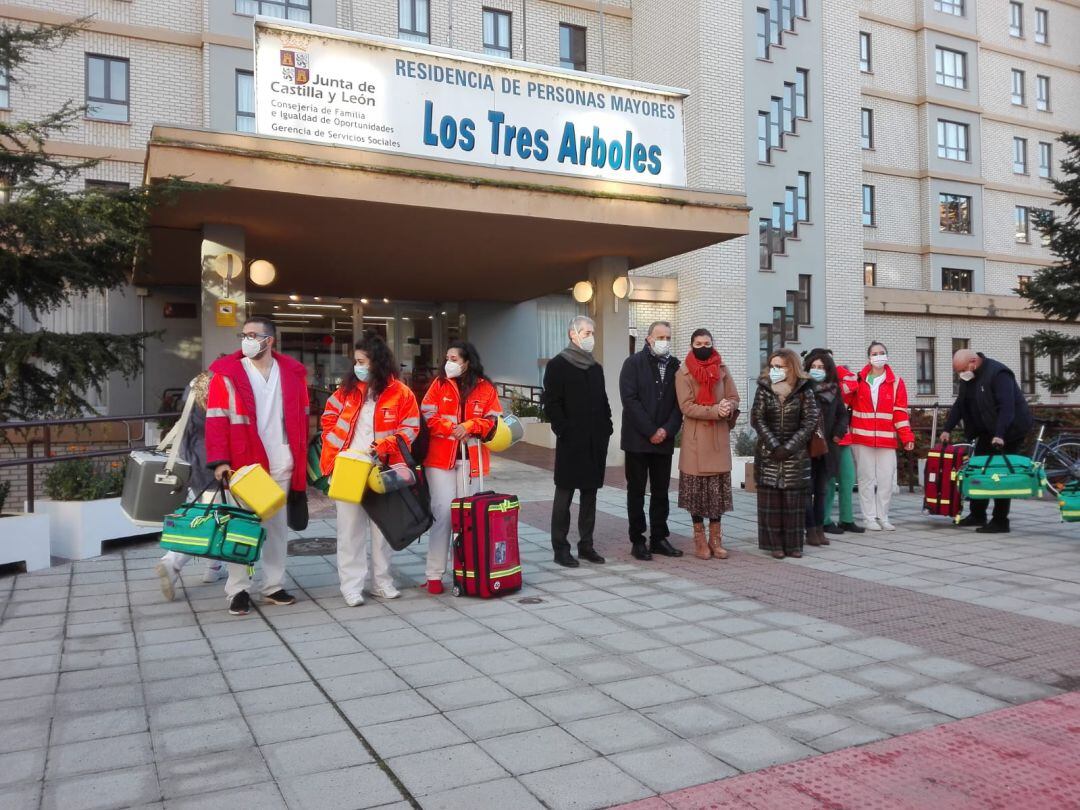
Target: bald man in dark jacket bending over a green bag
x=995, y=416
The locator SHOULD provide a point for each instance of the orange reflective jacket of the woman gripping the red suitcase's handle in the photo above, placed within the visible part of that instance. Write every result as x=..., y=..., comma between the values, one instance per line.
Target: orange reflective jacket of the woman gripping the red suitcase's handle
x=442, y=410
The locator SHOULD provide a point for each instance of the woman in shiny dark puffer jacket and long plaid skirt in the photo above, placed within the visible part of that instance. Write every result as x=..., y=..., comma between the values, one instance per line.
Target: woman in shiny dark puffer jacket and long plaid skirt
x=785, y=416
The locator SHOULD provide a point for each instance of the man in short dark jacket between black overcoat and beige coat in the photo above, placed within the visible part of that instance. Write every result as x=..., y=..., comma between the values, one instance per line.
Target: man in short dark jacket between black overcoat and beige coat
x=651, y=420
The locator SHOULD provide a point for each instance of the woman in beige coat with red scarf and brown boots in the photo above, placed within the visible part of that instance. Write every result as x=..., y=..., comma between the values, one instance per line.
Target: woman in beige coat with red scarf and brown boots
x=709, y=400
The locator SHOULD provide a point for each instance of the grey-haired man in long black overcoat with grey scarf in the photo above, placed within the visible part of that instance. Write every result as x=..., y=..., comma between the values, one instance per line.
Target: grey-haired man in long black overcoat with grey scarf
x=575, y=402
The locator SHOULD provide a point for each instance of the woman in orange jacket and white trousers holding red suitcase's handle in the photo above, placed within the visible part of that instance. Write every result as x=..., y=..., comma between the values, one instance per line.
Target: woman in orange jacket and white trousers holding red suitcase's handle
x=462, y=406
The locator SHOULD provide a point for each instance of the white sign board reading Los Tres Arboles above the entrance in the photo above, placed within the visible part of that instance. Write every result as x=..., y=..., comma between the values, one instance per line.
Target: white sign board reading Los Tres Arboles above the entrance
x=320, y=85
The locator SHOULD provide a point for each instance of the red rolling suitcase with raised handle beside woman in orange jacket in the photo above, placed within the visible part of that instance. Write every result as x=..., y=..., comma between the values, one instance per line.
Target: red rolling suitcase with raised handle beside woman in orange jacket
x=487, y=559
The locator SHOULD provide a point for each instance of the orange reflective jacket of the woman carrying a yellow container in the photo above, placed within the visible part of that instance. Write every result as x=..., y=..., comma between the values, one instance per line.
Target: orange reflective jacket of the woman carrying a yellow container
x=397, y=414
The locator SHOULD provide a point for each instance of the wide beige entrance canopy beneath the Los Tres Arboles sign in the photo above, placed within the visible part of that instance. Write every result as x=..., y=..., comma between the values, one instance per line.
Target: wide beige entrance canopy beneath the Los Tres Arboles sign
x=343, y=222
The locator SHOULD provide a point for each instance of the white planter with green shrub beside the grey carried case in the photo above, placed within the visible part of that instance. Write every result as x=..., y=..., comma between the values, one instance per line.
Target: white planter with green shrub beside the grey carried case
x=84, y=508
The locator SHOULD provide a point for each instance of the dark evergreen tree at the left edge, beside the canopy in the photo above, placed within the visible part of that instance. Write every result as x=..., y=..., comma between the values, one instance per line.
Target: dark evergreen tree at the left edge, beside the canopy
x=57, y=245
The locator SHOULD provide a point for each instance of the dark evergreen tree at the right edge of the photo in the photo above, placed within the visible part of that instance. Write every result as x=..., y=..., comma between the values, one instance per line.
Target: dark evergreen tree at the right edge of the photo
x=1056, y=291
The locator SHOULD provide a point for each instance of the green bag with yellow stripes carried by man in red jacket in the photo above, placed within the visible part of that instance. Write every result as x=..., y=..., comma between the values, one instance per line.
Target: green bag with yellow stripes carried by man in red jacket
x=215, y=531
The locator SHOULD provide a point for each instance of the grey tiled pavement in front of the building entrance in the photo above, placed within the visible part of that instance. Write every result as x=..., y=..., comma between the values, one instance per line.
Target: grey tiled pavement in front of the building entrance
x=592, y=687
